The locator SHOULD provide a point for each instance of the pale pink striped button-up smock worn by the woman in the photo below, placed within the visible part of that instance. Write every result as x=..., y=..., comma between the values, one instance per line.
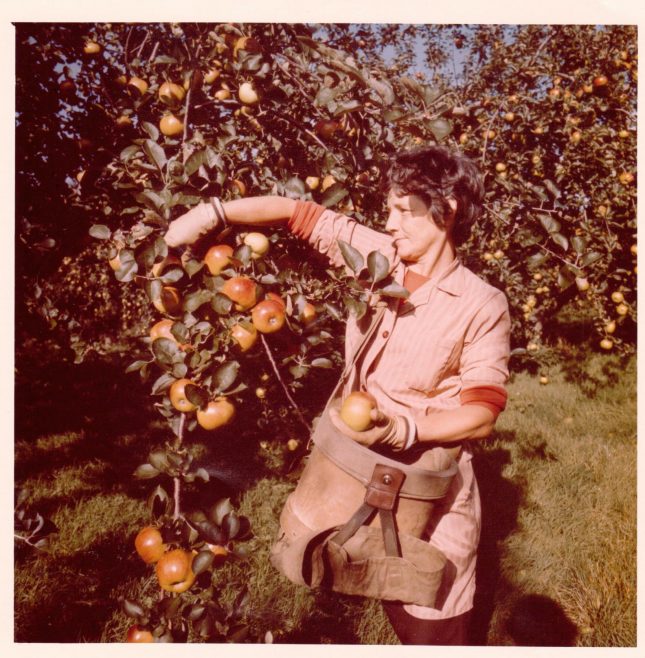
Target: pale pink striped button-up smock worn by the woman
x=451, y=334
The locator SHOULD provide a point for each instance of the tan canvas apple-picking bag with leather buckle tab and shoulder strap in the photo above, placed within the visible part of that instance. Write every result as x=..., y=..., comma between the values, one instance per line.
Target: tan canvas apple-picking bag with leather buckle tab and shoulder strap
x=355, y=520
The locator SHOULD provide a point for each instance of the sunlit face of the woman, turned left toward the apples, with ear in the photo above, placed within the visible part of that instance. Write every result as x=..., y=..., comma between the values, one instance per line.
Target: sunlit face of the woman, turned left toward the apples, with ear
x=410, y=223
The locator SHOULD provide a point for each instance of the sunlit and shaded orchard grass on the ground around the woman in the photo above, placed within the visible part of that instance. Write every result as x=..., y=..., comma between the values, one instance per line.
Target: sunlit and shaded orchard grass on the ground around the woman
x=558, y=485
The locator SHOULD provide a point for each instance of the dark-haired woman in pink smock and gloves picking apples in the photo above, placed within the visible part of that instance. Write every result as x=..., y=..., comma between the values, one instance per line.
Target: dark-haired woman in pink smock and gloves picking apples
x=438, y=363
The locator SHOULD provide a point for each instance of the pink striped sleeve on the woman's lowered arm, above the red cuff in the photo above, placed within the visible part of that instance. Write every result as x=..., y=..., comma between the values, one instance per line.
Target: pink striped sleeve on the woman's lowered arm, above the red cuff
x=484, y=359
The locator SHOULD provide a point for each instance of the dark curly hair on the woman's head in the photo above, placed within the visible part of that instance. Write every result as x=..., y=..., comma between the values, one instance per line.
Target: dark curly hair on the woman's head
x=435, y=173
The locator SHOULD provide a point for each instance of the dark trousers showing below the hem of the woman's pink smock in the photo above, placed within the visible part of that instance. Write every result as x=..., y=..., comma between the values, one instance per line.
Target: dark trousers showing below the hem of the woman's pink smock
x=411, y=630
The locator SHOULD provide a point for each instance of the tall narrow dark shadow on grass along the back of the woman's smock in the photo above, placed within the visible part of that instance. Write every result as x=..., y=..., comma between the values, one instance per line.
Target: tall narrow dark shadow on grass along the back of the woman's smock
x=500, y=500
